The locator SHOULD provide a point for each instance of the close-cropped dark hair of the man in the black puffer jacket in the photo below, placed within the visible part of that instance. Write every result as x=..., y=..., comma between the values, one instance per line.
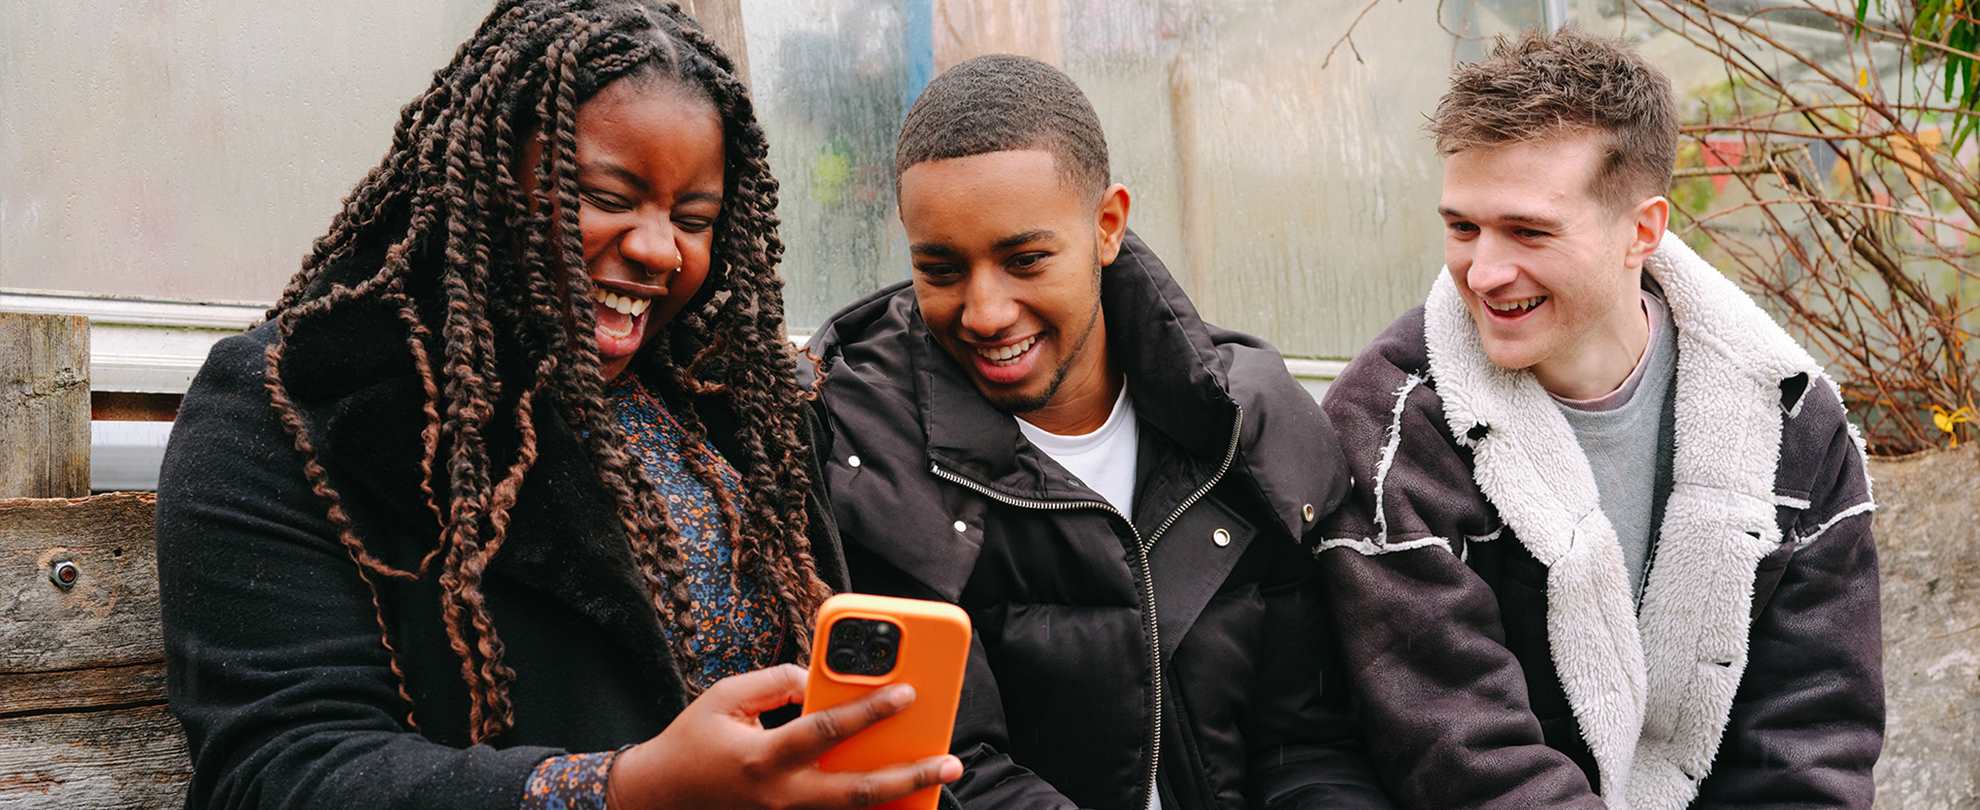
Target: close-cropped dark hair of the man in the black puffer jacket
x=1001, y=104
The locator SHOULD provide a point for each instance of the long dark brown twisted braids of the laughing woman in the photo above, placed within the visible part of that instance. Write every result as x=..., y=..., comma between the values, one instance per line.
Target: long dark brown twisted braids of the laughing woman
x=488, y=280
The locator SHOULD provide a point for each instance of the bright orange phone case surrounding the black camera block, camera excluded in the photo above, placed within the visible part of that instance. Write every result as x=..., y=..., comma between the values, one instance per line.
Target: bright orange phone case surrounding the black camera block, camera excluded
x=936, y=645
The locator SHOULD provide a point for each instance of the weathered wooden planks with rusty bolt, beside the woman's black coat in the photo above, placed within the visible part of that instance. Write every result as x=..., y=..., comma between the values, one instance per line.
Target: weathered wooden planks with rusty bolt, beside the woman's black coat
x=82, y=668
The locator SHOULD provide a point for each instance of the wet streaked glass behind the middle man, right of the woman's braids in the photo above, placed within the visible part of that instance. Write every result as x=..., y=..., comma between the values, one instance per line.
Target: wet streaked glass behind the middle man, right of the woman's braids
x=1280, y=171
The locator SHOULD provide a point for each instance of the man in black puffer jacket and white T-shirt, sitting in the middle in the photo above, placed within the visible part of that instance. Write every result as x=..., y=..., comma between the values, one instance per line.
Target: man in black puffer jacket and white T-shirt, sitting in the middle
x=1040, y=429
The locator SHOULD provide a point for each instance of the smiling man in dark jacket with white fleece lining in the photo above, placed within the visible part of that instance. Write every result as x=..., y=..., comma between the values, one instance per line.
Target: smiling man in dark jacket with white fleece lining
x=1611, y=538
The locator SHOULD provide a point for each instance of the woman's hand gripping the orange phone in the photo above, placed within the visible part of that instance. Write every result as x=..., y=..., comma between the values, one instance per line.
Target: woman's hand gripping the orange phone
x=720, y=756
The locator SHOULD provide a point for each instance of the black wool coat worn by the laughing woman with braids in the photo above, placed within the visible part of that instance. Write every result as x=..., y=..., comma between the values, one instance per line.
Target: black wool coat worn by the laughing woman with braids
x=274, y=657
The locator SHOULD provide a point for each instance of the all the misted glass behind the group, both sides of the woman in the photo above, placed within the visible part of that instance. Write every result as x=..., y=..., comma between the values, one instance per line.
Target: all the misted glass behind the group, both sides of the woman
x=193, y=152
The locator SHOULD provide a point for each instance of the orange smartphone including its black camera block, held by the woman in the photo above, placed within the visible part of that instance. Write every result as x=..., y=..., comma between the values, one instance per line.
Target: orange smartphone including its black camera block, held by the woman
x=872, y=645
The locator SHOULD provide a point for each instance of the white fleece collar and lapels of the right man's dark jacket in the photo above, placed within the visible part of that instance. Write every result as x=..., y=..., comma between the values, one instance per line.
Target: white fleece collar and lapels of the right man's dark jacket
x=1650, y=692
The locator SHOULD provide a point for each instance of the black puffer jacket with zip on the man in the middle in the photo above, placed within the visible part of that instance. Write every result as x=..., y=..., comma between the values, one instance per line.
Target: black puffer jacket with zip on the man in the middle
x=1066, y=702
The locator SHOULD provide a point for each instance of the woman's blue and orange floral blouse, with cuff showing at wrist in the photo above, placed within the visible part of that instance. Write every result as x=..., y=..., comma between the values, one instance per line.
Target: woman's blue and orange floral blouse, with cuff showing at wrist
x=736, y=615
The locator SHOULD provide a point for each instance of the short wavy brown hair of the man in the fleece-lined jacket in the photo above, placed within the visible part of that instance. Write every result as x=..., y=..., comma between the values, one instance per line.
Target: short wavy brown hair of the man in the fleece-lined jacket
x=1549, y=84
